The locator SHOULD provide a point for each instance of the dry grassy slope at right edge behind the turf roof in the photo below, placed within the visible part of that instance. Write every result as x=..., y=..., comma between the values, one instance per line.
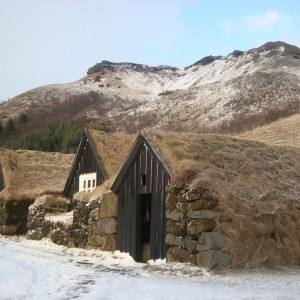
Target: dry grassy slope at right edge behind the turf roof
x=284, y=132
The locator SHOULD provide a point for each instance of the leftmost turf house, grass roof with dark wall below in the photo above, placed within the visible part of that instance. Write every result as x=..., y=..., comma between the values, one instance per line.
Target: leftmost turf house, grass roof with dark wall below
x=25, y=175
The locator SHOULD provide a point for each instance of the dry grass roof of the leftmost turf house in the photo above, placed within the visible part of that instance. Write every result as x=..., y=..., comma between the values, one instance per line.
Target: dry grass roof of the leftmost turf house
x=28, y=174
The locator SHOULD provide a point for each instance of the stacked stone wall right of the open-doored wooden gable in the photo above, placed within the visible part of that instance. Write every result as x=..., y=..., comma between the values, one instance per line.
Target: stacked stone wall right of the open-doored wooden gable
x=191, y=221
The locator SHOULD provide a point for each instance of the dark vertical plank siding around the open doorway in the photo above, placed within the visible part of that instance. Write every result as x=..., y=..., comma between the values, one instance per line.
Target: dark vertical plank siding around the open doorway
x=129, y=193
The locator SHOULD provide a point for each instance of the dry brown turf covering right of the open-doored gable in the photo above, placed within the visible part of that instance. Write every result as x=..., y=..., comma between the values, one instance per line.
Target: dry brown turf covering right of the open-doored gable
x=258, y=188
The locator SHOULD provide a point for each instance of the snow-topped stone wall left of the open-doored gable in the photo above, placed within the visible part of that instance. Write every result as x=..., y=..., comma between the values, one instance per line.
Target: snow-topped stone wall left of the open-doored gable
x=93, y=223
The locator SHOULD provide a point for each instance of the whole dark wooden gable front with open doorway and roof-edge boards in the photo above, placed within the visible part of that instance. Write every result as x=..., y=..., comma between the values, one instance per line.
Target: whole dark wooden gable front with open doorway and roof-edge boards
x=141, y=190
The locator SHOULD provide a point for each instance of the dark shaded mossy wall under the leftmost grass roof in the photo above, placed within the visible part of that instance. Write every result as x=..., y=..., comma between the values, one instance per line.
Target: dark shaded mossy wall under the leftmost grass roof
x=13, y=216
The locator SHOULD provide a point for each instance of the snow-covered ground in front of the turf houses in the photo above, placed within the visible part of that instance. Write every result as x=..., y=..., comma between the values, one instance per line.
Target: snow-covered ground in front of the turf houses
x=42, y=270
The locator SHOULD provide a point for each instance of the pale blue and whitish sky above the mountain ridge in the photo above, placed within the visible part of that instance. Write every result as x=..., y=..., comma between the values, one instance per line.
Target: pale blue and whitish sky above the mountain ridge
x=56, y=41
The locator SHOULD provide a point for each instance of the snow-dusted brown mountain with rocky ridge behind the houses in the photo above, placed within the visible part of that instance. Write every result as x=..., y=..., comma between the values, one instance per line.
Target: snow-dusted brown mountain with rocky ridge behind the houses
x=218, y=93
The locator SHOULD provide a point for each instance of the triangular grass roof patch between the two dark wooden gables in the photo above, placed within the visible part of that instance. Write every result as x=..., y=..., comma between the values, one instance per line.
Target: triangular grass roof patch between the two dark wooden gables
x=113, y=149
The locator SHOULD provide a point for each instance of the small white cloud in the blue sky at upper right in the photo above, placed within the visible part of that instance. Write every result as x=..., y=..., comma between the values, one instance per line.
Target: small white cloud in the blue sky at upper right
x=266, y=21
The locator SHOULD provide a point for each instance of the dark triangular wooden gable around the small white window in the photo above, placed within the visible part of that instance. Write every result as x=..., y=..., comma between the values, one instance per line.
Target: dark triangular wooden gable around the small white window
x=86, y=161
